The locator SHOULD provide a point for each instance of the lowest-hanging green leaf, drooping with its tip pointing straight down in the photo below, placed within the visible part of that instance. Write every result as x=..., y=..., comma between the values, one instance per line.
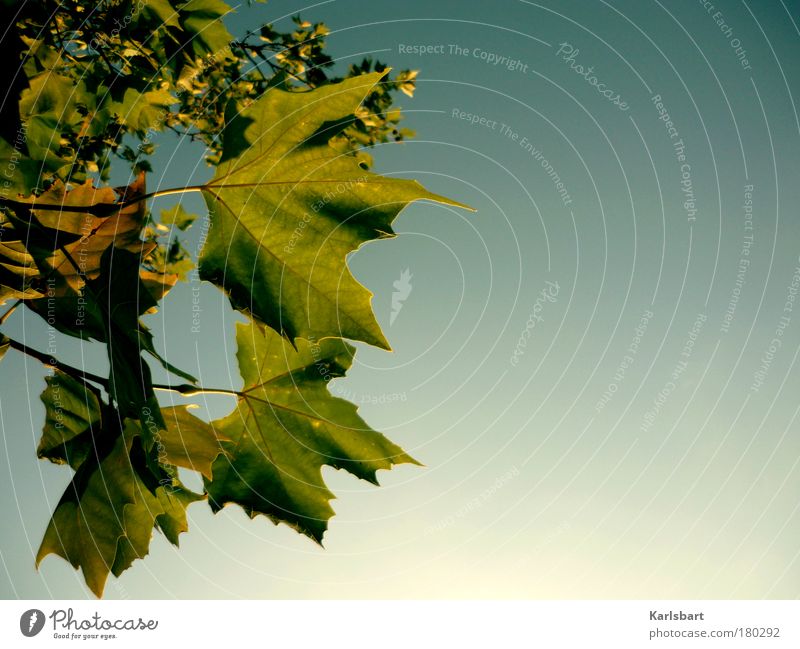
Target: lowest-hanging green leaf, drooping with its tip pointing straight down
x=106, y=517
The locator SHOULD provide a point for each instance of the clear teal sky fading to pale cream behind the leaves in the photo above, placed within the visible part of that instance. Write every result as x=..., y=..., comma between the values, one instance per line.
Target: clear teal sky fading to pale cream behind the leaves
x=598, y=368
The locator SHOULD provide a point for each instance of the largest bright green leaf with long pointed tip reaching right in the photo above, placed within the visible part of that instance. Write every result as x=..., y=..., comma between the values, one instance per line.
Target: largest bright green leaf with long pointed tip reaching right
x=287, y=206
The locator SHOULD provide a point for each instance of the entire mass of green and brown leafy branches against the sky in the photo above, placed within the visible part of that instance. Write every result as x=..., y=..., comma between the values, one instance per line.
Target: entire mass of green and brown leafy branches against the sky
x=94, y=85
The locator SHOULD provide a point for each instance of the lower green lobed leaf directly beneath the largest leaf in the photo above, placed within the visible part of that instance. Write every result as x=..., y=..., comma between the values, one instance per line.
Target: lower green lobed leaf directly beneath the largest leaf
x=287, y=426
